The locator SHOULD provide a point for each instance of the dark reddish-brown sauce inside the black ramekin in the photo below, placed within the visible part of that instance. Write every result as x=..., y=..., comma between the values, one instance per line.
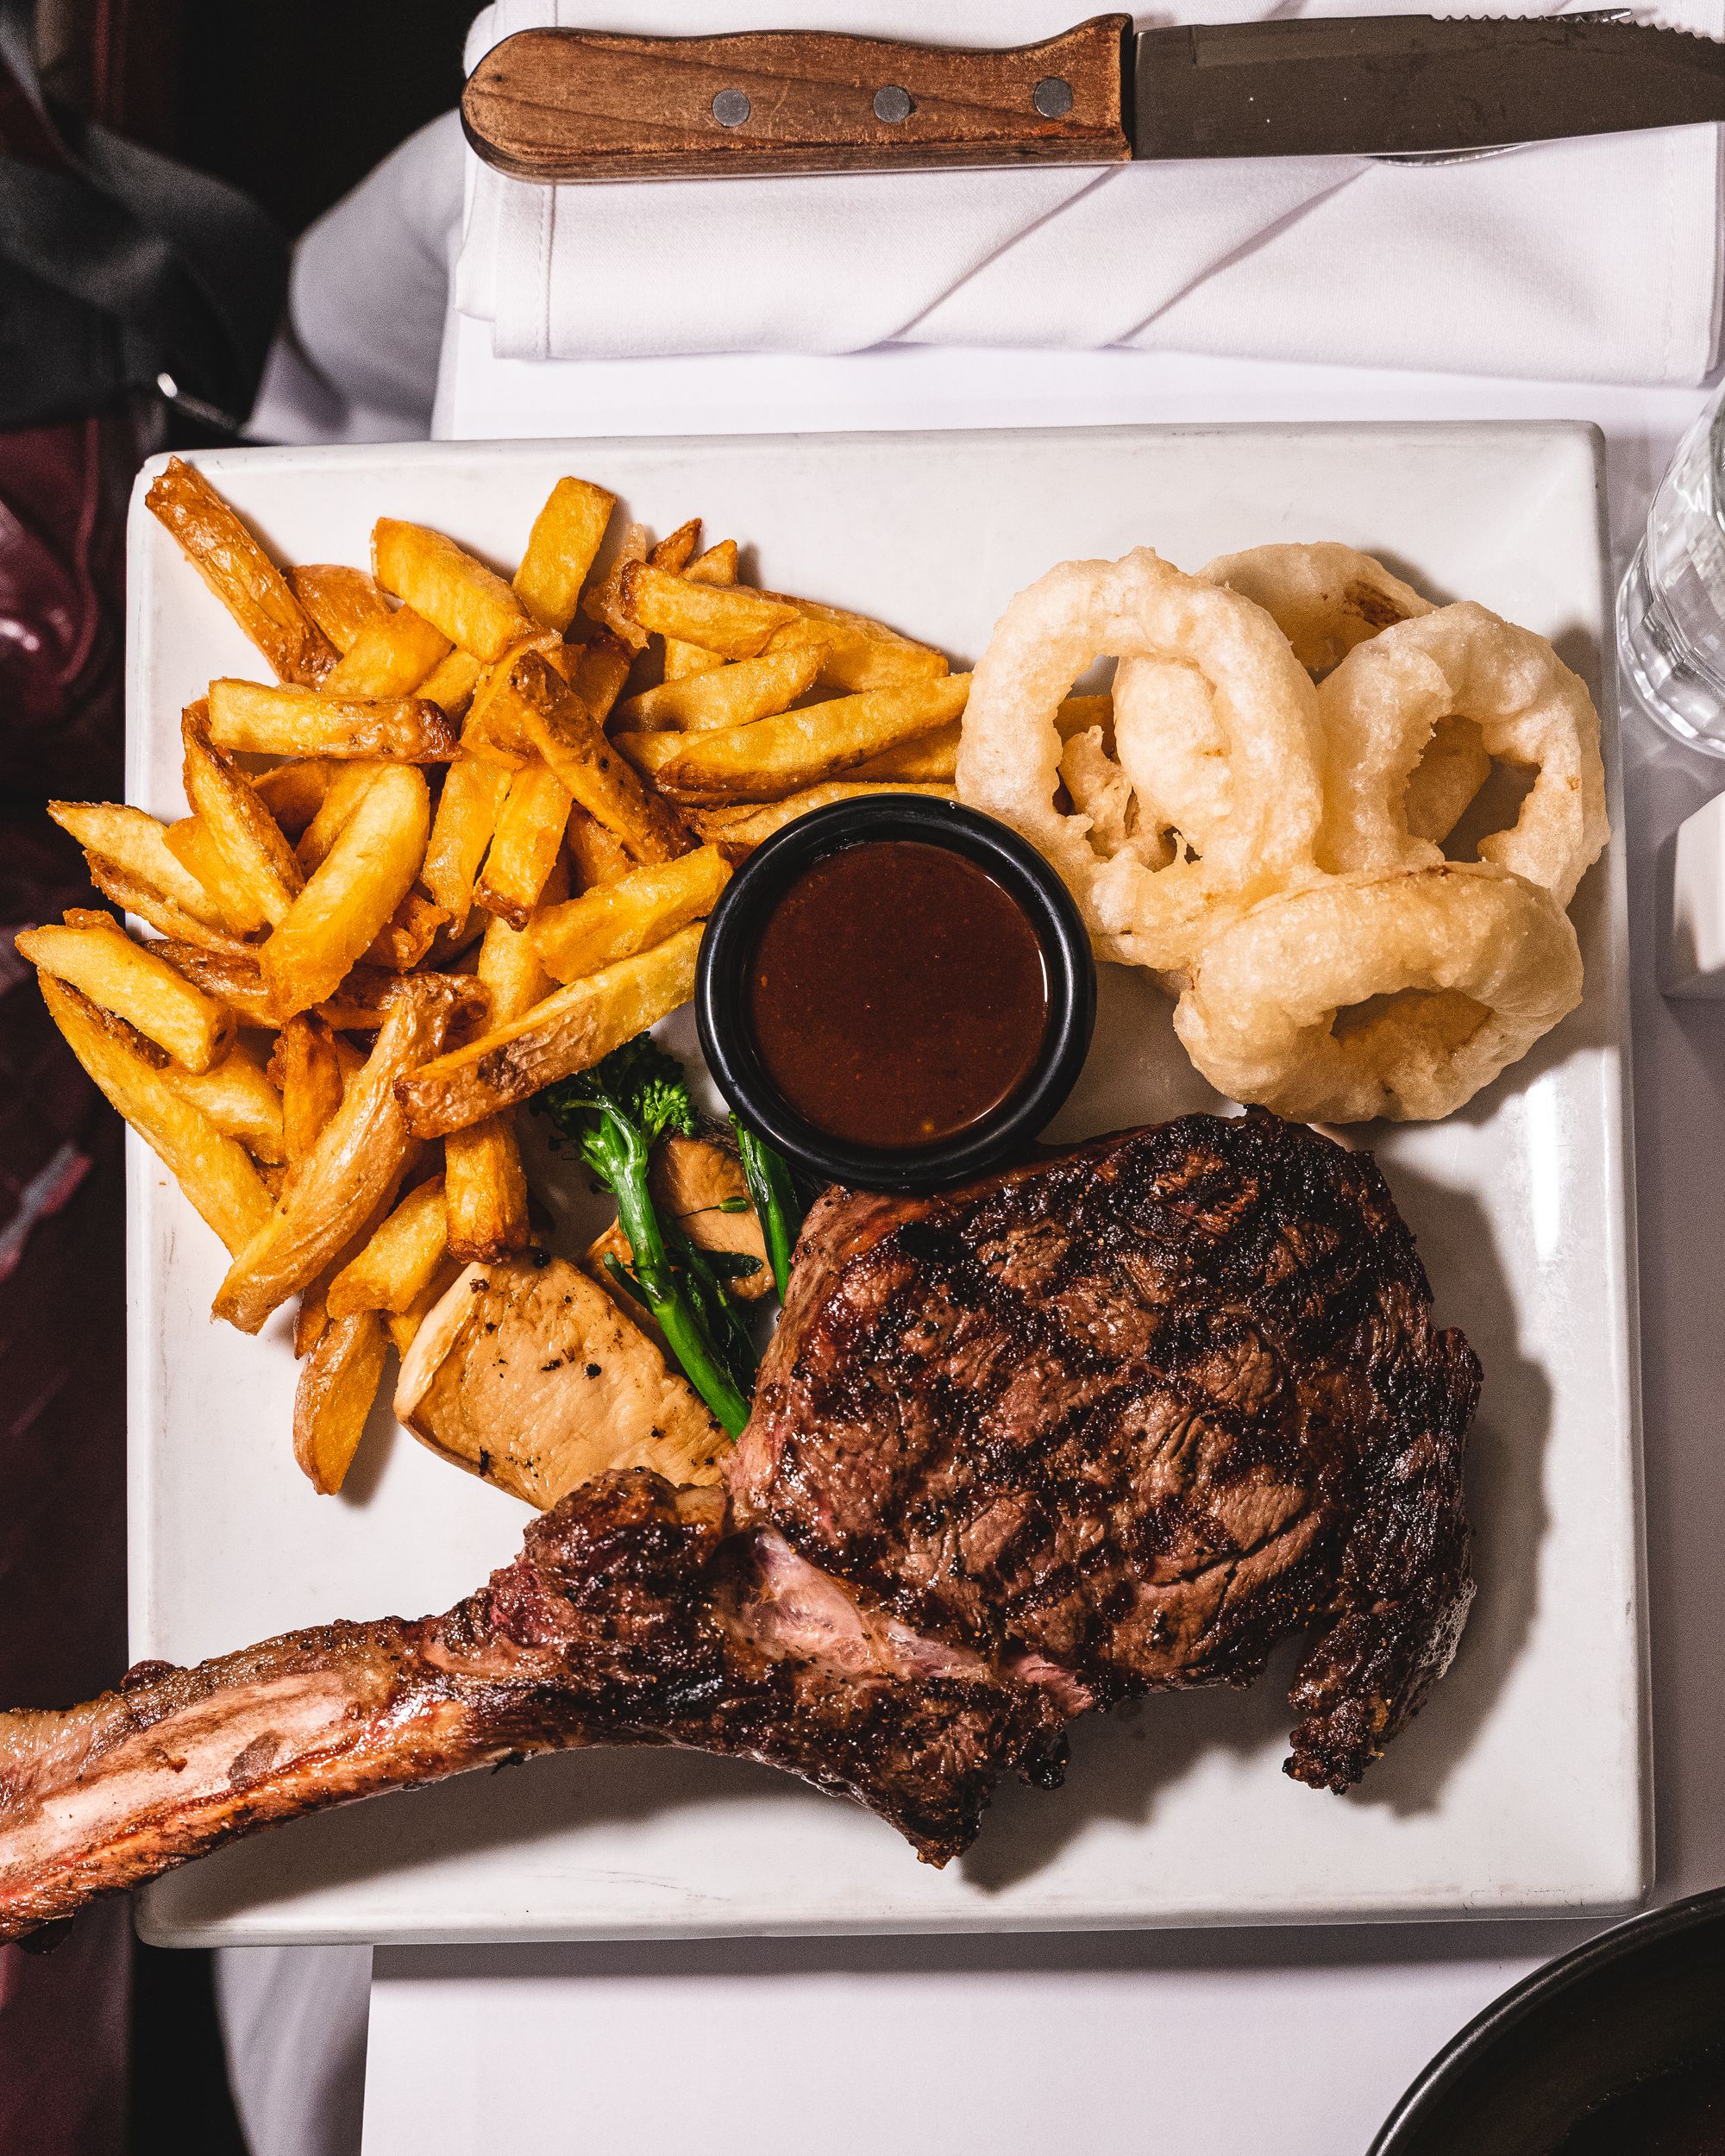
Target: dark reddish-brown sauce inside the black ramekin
x=898, y=995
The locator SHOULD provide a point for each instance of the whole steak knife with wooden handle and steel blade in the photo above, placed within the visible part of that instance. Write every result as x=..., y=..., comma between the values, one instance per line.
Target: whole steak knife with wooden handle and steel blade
x=594, y=107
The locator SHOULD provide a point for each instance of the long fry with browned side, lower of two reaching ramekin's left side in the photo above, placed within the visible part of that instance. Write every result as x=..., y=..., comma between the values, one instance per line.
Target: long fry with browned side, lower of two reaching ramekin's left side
x=566, y=1034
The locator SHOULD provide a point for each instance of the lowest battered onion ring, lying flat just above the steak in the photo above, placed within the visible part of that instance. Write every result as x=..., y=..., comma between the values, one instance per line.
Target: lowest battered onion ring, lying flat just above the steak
x=1489, y=958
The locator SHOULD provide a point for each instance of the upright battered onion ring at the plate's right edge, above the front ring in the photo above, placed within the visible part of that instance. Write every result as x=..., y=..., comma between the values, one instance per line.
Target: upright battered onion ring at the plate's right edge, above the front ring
x=1463, y=661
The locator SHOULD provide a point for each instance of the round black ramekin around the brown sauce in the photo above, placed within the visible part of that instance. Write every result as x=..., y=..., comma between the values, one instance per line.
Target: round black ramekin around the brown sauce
x=734, y=932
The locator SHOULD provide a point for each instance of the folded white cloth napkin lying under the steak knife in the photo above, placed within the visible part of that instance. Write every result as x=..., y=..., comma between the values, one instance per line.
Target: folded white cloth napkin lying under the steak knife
x=1567, y=262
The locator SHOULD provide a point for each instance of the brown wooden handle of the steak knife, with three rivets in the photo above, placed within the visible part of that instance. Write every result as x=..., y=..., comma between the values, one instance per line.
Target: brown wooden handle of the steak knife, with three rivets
x=579, y=105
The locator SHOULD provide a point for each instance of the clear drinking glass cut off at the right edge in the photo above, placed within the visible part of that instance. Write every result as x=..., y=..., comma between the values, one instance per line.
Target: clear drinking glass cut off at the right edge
x=1672, y=603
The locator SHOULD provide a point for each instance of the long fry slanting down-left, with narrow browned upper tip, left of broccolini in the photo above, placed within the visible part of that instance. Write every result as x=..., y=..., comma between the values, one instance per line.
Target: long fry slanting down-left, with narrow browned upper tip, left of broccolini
x=357, y=1165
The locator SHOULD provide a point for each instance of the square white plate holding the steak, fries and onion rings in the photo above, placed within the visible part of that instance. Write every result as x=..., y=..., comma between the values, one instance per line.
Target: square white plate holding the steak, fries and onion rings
x=1526, y=1782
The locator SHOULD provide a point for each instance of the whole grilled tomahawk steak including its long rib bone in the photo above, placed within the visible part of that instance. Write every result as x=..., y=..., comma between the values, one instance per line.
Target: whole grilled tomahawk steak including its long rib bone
x=1105, y=1424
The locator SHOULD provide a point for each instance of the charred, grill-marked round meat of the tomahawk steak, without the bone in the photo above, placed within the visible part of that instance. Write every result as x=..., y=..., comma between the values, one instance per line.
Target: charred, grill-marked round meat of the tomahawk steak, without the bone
x=1137, y=1413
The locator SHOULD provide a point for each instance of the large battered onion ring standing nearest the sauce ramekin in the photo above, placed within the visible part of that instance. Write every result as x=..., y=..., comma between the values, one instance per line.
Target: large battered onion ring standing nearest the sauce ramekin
x=1265, y=704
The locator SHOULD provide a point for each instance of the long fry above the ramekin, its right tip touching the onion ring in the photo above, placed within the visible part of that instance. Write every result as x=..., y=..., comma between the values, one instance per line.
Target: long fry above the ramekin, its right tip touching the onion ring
x=797, y=749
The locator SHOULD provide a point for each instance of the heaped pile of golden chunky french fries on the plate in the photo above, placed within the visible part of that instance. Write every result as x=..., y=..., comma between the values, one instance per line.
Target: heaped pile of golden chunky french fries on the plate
x=460, y=846
